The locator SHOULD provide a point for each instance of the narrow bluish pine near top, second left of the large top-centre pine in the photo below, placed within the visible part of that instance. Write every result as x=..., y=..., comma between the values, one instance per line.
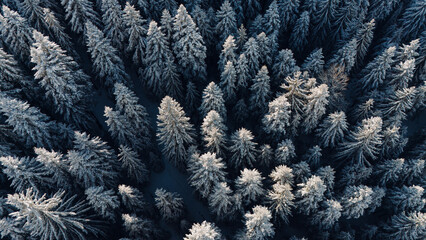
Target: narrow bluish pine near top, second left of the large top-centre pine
x=135, y=32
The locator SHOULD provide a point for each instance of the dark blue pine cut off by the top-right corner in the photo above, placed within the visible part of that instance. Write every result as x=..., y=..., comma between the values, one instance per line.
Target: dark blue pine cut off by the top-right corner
x=413, y=19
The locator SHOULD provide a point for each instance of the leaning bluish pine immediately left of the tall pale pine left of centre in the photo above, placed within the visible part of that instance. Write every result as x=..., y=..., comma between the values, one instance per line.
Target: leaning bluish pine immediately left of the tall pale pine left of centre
x=135, y=113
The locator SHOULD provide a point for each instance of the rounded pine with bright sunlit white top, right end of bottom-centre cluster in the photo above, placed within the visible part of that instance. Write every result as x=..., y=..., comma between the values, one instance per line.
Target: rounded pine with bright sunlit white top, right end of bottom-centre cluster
x=310, y=194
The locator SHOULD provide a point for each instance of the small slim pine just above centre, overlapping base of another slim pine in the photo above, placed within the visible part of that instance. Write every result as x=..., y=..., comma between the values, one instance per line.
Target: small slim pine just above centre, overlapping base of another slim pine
x=228, y=82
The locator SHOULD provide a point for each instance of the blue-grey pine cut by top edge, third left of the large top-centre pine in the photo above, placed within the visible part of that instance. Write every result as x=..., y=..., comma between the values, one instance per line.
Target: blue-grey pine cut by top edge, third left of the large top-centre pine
x=112, y=17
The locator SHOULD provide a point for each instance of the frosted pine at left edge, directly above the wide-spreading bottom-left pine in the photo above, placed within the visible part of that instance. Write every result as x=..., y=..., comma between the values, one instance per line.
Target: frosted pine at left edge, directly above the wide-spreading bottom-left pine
x=25, y=173
